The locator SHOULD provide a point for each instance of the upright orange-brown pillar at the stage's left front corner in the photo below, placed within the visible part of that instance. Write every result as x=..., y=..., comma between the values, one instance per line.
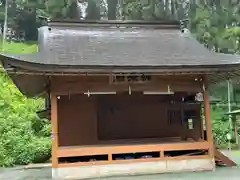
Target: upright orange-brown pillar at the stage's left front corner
x=54, y=122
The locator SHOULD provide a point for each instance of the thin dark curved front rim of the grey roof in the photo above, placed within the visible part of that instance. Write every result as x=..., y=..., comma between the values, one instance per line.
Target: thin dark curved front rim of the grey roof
x=11, y=63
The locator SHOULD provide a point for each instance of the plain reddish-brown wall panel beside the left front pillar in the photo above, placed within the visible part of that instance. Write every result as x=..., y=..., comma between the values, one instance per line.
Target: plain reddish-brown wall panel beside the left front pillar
x=77, y=120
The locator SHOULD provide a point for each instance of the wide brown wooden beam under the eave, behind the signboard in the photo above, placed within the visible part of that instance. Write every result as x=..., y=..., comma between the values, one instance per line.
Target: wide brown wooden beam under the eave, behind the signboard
x=73, y=85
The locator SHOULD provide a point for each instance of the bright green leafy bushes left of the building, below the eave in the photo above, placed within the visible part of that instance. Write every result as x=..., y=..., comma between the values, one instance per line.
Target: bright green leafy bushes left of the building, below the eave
x=23, y=138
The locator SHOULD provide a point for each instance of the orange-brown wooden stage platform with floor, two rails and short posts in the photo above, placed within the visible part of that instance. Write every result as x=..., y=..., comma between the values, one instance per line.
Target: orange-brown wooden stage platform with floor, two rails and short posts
x=119, y=147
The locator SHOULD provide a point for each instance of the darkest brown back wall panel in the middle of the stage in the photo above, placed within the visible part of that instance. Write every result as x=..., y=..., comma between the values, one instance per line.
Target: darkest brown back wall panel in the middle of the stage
x=136, y=116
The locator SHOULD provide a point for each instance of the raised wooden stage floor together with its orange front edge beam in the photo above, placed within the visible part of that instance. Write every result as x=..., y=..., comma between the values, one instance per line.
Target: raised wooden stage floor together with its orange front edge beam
x=131, y=146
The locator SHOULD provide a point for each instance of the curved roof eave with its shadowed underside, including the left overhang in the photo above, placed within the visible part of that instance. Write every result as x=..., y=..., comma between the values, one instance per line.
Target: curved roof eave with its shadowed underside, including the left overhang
x=23, y=73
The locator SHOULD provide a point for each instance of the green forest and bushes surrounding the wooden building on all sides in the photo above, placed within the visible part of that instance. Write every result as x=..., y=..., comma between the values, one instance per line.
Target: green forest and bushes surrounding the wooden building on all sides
x=26, y=139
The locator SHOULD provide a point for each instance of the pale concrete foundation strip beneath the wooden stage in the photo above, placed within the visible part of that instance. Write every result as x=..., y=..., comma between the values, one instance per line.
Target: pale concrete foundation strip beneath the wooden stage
x=97, y=171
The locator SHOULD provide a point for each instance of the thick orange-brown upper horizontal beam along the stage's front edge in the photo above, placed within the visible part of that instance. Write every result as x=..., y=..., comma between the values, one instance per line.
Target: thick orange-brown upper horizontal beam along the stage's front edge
x=122, y=149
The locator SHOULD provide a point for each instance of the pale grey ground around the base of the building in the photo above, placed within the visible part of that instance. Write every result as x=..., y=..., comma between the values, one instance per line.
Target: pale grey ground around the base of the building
x=45, y=174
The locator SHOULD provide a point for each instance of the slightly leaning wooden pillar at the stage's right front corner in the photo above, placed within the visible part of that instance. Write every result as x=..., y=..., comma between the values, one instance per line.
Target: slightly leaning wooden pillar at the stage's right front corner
x=208, y=119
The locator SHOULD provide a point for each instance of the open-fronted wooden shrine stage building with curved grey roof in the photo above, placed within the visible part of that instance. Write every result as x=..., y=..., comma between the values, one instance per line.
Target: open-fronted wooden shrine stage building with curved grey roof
x=125, y=98
